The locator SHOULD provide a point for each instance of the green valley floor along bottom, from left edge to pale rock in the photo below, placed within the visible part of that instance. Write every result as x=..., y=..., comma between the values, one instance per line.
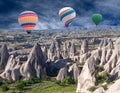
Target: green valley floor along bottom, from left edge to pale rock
x=43, y=87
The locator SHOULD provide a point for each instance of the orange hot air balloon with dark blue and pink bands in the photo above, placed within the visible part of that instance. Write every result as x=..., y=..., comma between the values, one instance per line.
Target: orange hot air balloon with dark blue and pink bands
x=28, y=20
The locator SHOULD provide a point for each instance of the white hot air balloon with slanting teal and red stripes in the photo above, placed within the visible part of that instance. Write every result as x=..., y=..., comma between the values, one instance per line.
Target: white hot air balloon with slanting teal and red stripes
x=67, y=15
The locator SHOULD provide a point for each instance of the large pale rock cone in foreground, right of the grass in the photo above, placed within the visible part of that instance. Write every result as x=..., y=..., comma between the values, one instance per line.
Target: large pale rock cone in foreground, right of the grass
x=87, y=77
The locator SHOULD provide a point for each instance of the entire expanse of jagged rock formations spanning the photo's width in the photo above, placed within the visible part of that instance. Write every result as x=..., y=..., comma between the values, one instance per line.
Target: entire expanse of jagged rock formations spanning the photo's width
x=59, y=60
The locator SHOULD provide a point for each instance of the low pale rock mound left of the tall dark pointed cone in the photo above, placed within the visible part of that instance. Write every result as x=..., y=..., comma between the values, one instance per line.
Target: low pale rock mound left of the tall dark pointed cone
x=12, y=70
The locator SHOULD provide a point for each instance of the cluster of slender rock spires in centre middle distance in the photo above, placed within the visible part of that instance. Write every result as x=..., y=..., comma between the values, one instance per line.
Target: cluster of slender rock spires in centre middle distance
x=68, y=51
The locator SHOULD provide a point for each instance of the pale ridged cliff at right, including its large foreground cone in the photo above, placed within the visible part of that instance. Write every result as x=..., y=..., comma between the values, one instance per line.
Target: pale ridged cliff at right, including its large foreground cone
x=107, y=56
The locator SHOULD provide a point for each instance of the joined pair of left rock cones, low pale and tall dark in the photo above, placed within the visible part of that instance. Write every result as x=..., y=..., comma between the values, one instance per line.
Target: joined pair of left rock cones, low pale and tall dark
x=35, y=66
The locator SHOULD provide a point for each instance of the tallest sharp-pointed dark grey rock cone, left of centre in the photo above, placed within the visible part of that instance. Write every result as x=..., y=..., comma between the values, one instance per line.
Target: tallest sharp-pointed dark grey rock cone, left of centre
x=35, y=65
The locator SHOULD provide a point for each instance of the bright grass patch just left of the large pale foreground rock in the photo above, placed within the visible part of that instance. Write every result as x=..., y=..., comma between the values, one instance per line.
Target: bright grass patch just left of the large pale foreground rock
x=50, y=87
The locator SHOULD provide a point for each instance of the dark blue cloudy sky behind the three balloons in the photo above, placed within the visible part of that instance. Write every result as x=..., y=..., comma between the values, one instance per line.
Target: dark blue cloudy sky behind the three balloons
x=47, y=11
